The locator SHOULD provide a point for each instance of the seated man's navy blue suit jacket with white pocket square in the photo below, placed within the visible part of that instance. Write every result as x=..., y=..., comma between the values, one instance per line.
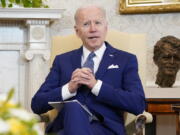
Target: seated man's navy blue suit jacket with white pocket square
x=121, y=89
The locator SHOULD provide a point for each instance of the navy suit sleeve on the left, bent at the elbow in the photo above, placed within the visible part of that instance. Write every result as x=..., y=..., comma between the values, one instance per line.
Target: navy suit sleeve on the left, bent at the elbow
x=50, y=90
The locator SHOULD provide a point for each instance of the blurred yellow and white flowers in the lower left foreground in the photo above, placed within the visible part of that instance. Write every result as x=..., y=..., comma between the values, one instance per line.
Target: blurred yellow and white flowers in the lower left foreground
x=14, y=120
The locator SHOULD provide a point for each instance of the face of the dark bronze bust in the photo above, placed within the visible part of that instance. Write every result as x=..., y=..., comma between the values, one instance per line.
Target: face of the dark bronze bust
x=169, y=61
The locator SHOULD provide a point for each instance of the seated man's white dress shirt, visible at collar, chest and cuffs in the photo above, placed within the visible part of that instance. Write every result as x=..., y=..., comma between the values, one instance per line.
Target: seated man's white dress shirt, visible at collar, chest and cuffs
x=97, y=59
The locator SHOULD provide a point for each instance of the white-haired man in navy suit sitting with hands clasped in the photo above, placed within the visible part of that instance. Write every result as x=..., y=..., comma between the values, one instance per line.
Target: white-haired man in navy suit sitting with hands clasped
x=107, y=87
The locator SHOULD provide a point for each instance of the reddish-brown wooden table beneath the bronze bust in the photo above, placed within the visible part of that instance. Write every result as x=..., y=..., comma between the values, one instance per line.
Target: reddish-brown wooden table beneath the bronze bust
x=165, y=107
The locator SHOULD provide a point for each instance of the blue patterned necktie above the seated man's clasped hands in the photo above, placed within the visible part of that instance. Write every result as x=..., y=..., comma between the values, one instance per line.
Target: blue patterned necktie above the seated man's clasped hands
x=89, y=63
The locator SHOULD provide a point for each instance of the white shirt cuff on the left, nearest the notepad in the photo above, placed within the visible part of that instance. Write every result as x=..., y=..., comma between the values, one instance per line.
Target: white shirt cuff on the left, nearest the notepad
x=65, y=92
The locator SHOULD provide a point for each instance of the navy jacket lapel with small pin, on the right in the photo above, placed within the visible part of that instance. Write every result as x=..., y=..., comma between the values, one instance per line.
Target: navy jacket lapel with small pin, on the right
x=107, y=59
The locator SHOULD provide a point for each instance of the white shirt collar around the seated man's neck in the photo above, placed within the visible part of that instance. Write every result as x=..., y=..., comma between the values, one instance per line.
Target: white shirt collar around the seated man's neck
x=99, y=52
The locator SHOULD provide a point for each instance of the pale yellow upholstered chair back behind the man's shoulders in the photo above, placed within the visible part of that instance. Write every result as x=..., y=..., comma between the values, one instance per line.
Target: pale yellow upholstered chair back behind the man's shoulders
x=133, y=43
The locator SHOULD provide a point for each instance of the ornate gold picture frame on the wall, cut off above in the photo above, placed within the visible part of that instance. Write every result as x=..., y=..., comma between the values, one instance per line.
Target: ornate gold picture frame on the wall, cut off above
x=149, y=6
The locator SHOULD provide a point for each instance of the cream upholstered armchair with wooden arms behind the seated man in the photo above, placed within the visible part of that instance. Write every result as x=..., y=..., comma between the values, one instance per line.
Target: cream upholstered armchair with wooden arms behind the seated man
x=133, y=43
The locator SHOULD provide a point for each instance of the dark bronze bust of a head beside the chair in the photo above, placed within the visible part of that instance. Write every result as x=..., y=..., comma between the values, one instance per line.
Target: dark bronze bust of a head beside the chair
x=167, y=58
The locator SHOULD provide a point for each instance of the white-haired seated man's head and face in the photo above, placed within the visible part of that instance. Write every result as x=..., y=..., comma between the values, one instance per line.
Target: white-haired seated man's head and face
x=91, y=27
